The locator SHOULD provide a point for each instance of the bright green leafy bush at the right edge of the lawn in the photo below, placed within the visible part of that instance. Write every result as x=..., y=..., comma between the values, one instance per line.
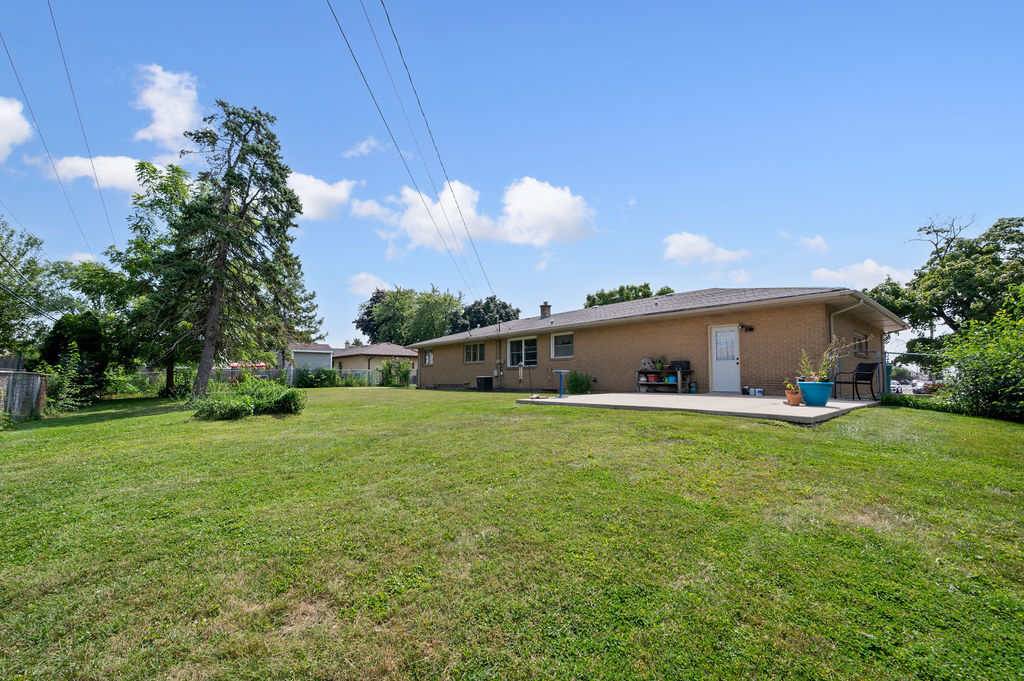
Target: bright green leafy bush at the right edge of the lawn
x=989, y=364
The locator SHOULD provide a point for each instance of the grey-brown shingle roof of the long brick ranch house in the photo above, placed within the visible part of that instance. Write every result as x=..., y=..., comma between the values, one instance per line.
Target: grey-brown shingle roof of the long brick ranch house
x=674, y=303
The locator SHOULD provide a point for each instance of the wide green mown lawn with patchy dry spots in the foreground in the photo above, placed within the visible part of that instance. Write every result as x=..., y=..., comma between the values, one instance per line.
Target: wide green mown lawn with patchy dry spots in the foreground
x=402, y=534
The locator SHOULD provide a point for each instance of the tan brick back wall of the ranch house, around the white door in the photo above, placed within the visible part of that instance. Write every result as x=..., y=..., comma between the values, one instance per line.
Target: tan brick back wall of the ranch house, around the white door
x=769, y=355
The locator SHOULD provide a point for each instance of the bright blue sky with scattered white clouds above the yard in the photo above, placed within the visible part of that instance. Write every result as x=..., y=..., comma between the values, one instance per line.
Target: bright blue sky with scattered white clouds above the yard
x=589, y=145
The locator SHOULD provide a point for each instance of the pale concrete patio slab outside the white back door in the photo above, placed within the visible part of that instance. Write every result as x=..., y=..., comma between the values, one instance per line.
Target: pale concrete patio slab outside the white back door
x=722, y=405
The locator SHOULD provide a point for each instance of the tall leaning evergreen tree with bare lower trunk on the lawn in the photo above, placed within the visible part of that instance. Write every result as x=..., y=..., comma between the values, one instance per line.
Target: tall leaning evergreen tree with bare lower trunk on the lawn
x=238, y=235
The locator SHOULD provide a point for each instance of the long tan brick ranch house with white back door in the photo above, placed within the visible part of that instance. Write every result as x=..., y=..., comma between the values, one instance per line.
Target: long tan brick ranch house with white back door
x=732, y=337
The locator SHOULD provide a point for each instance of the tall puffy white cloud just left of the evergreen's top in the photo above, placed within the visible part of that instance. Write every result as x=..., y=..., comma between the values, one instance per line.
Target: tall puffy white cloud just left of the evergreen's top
x=173, y=101
